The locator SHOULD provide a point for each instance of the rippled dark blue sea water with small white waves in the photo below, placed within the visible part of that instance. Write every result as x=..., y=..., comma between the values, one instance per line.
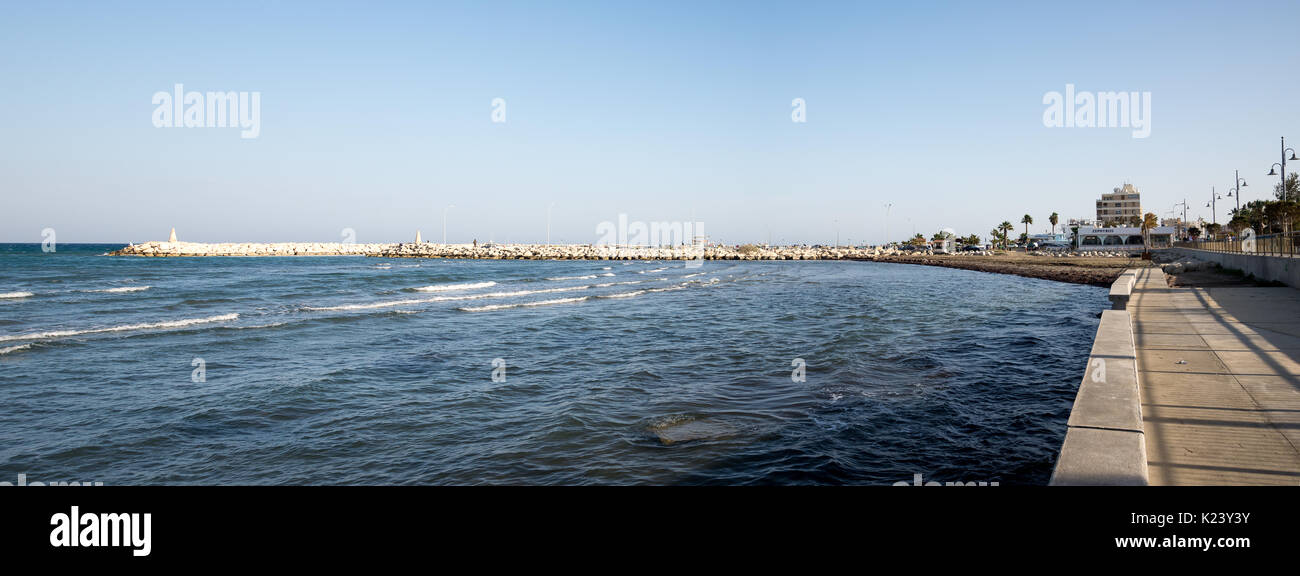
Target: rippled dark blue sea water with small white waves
x=372, y=371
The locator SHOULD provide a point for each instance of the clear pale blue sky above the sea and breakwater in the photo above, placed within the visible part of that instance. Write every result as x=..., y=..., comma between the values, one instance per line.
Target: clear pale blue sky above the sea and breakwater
x=376, y=116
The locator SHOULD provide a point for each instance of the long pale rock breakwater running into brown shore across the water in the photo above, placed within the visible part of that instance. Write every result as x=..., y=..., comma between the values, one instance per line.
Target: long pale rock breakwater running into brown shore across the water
x=1098, y=270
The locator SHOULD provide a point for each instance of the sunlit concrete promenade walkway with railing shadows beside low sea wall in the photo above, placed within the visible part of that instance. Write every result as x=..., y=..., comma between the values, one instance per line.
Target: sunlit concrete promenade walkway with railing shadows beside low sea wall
x=1220, y=382
